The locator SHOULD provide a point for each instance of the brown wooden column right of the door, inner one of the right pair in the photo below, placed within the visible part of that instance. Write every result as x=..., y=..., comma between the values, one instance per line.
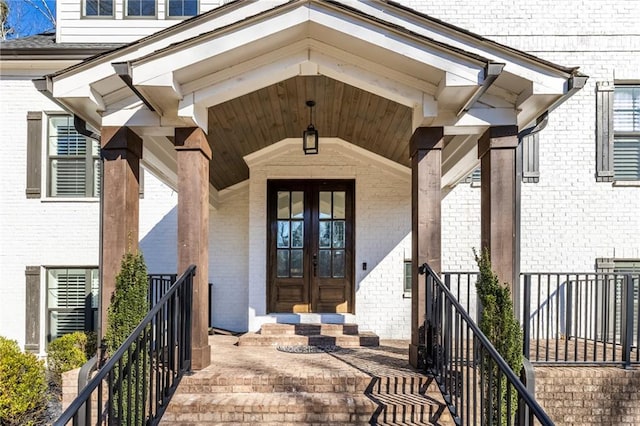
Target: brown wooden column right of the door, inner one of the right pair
x=426, y=233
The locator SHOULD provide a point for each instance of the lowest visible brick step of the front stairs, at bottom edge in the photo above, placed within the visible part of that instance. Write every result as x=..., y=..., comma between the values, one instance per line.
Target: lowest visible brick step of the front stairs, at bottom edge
x=276, y=408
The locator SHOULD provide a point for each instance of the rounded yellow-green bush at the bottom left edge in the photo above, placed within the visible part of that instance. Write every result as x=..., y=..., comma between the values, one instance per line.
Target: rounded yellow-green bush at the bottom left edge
x=23, y=386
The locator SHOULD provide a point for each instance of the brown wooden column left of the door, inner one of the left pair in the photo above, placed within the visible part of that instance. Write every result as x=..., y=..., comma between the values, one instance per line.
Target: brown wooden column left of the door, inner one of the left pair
x=194, y=155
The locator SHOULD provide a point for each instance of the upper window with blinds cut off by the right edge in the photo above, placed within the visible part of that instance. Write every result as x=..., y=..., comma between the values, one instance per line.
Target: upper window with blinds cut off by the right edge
x=626, y=133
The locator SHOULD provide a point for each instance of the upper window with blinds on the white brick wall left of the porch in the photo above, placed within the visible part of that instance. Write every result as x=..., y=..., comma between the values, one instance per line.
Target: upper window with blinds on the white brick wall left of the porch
x=73, y=160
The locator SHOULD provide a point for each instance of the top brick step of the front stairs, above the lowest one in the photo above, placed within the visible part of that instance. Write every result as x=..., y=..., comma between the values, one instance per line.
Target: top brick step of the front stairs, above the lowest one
x=268, y=383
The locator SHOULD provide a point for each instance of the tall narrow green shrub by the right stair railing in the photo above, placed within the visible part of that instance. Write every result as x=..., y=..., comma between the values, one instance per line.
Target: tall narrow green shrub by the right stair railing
x=499, y=324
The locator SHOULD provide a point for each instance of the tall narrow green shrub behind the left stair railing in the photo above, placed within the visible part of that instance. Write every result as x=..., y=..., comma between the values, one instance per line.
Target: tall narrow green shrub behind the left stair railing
x=128, y=308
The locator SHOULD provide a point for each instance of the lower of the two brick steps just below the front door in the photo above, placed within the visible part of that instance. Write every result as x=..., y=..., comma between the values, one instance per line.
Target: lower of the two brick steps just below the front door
x=346, y=340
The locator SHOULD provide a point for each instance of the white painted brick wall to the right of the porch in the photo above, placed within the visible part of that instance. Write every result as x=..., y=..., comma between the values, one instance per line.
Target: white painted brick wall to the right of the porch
x=568, y=220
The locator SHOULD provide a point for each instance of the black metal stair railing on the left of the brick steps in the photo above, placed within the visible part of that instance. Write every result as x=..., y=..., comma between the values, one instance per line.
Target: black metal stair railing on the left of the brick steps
x=137, y=382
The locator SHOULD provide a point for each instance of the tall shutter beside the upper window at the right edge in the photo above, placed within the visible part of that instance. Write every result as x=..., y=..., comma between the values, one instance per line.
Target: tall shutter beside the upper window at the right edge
x=604, y=131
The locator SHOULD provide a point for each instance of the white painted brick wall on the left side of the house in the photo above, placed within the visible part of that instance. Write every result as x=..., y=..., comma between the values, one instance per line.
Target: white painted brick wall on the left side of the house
x=52, y=232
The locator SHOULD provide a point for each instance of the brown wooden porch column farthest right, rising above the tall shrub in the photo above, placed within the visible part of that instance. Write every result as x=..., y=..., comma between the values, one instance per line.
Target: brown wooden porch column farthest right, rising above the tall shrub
x=498, y=212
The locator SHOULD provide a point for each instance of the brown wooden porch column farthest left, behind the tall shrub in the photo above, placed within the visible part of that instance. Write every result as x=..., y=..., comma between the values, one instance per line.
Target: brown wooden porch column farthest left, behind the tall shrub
x=121, y=150
